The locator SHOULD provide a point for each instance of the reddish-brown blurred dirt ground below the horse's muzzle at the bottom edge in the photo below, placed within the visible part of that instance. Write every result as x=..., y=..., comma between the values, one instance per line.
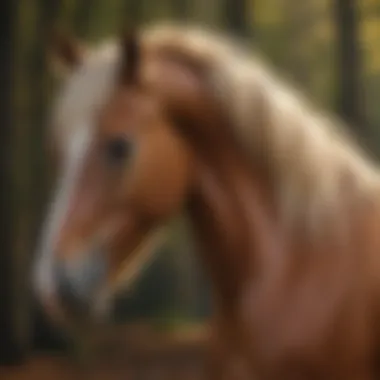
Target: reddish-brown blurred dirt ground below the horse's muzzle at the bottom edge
x=139, y=354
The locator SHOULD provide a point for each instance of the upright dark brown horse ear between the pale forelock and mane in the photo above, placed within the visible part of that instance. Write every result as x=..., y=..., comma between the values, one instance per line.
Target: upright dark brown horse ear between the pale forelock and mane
x=130, y=57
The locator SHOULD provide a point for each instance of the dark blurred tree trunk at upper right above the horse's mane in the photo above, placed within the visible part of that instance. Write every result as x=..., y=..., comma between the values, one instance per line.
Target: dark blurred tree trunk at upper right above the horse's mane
x=350, y=96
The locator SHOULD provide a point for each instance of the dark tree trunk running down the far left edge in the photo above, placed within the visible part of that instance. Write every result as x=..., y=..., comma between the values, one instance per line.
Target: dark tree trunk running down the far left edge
x=11, y=349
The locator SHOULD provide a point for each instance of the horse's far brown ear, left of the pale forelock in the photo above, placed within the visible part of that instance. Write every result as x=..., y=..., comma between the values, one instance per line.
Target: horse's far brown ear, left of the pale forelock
x=65, y=51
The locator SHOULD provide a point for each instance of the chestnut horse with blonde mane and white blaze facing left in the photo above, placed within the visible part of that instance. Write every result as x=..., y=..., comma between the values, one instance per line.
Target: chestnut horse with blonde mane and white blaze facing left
x=283, y=203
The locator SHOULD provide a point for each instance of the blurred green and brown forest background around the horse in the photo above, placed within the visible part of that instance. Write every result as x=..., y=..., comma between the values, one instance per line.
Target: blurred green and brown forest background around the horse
x=327, y=48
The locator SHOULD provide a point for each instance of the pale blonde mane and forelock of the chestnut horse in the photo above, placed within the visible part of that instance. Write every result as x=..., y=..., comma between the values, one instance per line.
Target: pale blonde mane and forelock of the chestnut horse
x=315, y=166
